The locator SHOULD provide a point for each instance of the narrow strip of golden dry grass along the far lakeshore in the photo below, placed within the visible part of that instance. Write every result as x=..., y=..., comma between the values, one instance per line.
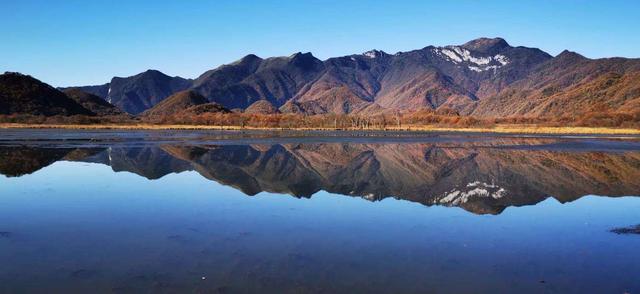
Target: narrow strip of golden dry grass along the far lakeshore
x=500, y=129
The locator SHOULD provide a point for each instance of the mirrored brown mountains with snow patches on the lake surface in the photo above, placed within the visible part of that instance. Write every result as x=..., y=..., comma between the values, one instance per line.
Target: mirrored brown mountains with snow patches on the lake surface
x=480, y=177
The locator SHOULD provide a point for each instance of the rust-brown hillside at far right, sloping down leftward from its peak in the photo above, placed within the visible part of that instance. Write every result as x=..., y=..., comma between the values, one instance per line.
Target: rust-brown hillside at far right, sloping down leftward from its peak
x=569, y=84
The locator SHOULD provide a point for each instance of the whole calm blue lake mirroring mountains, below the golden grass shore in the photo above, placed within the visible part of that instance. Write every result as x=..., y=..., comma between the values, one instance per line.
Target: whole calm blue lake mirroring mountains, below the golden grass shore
x=323, y=212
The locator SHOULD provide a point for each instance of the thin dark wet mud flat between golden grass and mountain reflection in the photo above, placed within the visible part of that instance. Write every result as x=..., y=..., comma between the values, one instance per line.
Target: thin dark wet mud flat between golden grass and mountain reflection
x=96, y=138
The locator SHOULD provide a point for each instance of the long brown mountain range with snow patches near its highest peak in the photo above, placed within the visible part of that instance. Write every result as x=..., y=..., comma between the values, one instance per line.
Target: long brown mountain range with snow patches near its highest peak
x=485, y=77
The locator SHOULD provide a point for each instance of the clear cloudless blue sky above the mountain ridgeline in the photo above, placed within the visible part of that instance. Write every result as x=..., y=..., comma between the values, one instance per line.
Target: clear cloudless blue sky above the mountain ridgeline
x=77, y=42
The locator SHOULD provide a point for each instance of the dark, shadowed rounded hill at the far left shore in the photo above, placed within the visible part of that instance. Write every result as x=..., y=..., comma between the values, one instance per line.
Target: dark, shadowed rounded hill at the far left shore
x=23, y=94
